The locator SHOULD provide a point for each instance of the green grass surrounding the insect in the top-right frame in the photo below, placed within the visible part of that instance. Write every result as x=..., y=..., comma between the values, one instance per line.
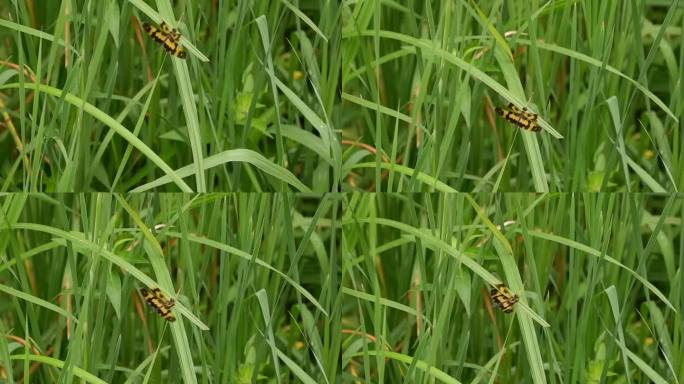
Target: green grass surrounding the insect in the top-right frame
x=421, y=80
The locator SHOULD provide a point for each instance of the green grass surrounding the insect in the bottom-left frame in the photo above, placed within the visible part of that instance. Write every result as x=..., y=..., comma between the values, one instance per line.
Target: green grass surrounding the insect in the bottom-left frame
x=252, y=276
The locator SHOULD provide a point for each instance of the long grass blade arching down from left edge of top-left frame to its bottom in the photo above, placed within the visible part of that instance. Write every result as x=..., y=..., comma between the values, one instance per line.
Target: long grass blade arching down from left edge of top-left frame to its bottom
x=113, y=124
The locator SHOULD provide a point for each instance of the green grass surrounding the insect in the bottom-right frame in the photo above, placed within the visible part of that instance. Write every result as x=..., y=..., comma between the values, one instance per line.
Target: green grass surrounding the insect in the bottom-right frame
x=598, y=278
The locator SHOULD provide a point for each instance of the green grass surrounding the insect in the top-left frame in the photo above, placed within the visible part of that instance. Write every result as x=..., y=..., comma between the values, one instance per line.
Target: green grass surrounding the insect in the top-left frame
x=90, y=103
